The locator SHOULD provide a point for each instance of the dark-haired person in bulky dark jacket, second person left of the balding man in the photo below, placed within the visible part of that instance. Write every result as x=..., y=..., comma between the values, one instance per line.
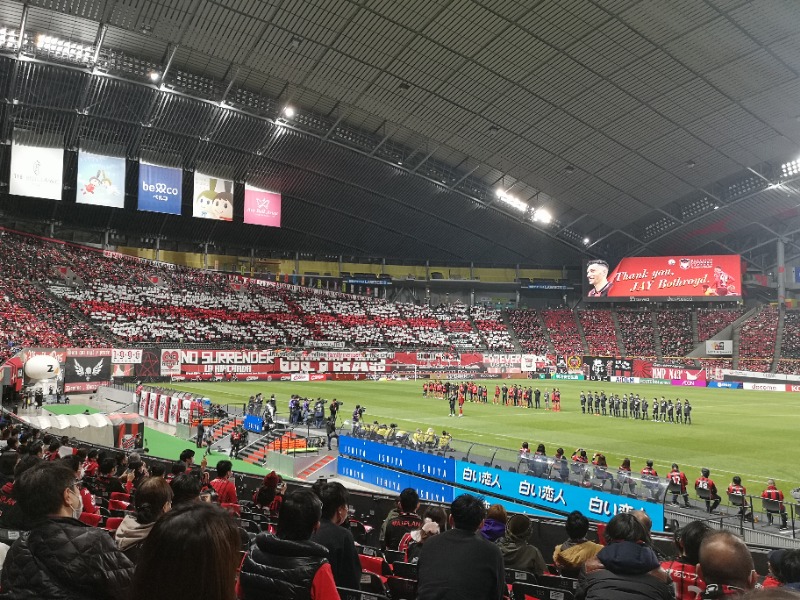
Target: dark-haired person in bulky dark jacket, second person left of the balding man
x=627, y=568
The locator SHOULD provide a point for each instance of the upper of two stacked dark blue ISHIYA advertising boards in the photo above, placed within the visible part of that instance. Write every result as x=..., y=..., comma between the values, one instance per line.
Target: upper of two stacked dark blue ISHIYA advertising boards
x=405, y=459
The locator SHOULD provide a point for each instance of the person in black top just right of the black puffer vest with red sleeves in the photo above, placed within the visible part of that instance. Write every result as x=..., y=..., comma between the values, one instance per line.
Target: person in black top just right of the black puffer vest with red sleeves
x=338, y=540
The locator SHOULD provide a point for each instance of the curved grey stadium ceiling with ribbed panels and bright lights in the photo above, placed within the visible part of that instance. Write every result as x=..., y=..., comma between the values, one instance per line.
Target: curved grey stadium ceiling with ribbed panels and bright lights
x=493, y=131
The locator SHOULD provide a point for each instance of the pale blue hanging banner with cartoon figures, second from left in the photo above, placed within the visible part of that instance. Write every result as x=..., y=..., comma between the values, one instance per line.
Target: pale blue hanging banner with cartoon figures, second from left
x=101, y=180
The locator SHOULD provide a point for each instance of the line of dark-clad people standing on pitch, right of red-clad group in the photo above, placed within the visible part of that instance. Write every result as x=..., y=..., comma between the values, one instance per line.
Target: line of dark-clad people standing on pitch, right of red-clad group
x=634, y=407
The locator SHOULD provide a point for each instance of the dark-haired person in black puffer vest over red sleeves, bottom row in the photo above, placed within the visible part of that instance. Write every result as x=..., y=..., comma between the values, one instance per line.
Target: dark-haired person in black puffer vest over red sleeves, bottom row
x=289, y=564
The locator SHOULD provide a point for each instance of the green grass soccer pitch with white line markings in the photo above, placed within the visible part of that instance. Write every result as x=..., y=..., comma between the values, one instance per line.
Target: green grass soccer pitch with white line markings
x=734, y=432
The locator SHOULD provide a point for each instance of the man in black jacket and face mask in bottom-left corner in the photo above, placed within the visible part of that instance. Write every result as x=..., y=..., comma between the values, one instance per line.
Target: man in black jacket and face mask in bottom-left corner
x=61, y=557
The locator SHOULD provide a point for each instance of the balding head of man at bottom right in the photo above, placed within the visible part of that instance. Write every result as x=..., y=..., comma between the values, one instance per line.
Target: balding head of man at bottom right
x=726, y=566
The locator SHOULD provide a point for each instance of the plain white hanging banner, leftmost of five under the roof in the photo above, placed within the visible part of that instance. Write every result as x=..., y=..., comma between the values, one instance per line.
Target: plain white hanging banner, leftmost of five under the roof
x=36, y=171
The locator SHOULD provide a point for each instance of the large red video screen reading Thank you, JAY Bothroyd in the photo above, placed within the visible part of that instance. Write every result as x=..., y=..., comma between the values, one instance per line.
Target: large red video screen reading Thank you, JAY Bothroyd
x=666, y=278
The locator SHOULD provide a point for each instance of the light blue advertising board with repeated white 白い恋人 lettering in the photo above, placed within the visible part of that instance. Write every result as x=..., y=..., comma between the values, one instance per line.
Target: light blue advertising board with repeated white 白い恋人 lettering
x=600, y=506
